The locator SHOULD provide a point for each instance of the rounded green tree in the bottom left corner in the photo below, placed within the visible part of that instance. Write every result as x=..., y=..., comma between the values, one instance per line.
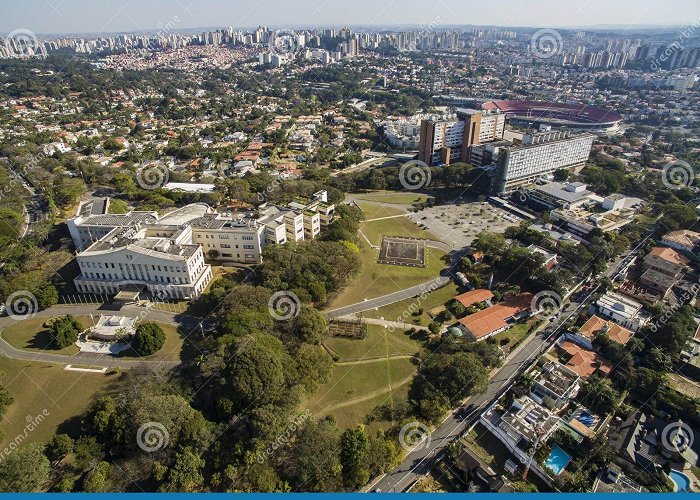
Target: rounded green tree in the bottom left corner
x=24, y=470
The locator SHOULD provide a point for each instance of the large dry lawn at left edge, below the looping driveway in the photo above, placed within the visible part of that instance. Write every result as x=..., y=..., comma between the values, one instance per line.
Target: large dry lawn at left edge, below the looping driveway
x=36, y=387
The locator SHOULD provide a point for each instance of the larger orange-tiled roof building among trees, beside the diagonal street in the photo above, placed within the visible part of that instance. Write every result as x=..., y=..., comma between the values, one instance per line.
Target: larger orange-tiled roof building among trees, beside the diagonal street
x=492, y=320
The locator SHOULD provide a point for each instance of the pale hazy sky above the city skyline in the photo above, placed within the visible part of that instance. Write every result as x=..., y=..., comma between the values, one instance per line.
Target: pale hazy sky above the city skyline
x=77, y=16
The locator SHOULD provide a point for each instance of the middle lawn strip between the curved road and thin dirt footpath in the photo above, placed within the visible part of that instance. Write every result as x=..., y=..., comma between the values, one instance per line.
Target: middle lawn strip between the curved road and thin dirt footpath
x=379, y=342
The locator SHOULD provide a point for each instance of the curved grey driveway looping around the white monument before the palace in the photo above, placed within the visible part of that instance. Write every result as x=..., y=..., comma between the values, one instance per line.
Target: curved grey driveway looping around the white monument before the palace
x=190, y=323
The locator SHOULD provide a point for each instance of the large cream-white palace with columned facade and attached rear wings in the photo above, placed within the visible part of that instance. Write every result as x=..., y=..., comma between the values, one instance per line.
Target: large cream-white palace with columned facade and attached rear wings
x=165, y=254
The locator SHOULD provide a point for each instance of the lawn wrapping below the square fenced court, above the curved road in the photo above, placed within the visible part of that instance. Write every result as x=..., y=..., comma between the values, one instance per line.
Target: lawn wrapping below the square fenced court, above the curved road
x=377, y=279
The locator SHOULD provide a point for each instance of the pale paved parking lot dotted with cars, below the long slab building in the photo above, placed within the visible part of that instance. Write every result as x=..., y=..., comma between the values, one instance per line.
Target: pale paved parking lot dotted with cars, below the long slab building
x=458, y=225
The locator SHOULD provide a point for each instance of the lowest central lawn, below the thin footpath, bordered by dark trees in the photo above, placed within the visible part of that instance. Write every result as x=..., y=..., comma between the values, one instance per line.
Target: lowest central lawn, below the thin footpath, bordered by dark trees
x=350, y=382
